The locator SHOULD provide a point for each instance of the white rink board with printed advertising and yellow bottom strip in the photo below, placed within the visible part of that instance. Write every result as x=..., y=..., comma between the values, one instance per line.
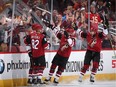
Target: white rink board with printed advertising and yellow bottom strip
x=14, y=67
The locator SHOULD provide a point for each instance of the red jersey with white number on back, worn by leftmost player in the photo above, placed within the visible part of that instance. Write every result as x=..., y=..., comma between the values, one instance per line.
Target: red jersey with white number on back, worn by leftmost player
x=38, y=43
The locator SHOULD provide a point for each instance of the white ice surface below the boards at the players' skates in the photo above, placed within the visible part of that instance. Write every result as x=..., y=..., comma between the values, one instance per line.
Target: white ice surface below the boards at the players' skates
x=76, y=84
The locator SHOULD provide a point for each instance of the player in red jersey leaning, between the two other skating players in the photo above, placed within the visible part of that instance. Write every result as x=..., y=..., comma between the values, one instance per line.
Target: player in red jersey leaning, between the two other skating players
x=62, y=55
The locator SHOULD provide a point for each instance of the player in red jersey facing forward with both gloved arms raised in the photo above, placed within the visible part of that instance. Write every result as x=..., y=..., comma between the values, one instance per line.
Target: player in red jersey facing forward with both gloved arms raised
x=94, y=41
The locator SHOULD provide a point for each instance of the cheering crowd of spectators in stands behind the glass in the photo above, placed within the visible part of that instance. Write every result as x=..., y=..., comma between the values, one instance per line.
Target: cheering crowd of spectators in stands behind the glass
x=65, y=14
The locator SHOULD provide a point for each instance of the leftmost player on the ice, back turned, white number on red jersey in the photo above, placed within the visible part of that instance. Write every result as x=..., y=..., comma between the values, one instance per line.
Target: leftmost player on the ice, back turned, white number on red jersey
x=38, y=43
